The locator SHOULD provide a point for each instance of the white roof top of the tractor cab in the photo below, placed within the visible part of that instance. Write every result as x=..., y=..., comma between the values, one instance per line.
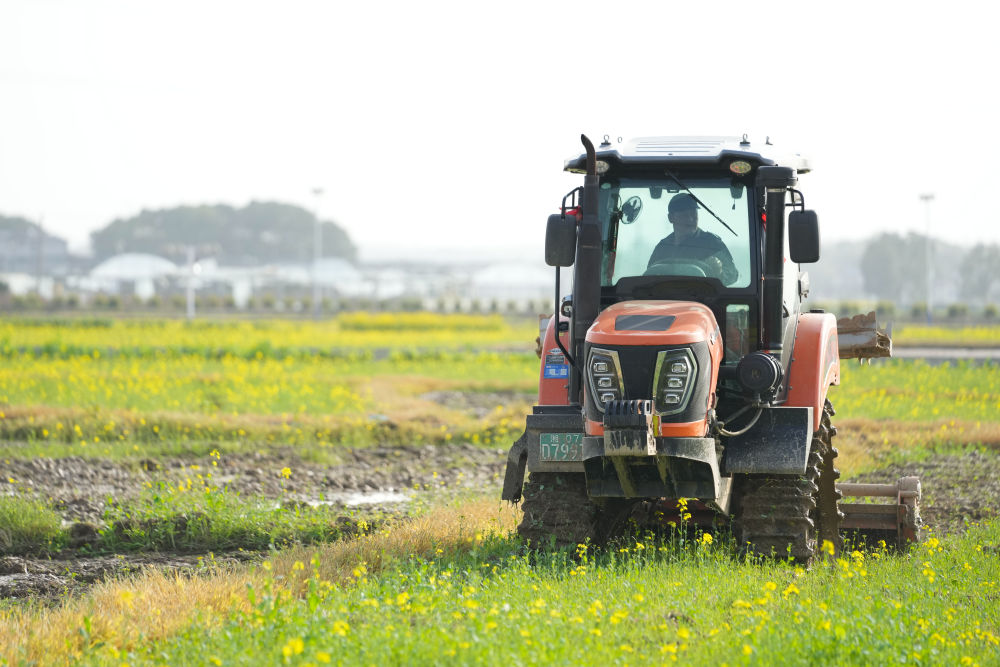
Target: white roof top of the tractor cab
x=702, y=151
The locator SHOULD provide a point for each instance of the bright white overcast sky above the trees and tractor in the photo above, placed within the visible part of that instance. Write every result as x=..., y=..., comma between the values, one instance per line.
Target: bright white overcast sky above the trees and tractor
x=436, y=124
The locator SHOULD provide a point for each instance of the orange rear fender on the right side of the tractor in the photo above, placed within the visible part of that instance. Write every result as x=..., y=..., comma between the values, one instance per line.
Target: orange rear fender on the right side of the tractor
x=815, y=363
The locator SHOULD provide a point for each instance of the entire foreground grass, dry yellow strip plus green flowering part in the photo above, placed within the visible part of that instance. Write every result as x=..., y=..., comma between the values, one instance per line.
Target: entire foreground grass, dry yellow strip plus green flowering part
x=456, y=588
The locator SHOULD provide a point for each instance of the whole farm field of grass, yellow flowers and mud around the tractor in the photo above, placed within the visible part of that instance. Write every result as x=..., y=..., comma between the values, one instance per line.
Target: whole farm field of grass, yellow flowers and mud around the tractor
x=310, y=493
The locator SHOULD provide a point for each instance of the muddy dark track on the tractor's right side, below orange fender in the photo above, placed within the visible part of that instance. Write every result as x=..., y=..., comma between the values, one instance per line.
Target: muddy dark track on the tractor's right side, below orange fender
x=793, y=515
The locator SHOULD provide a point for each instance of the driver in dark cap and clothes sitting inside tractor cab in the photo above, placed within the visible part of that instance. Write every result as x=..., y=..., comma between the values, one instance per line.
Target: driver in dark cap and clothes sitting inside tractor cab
x=687, y=243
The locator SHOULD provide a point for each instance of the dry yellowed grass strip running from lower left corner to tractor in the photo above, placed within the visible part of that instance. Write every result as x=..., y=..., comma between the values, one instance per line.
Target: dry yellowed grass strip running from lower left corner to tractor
x=126, y=613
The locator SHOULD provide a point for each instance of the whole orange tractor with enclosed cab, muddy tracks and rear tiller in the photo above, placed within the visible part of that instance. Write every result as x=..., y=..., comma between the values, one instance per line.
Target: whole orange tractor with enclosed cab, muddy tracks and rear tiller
x=682, y=380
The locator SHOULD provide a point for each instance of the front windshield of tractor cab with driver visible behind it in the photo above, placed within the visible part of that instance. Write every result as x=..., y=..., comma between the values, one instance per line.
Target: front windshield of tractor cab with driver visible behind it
x=657, y=226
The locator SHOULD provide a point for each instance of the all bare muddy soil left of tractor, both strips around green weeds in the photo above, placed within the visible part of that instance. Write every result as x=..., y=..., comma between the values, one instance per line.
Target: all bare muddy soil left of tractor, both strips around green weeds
x=378, y=481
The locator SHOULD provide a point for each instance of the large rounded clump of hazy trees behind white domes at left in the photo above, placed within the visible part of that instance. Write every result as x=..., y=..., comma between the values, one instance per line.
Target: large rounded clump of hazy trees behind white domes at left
x=259, y=233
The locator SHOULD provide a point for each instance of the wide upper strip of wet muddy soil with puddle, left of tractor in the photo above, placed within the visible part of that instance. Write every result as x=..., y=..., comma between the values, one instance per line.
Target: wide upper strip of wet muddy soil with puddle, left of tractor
x=80, y=488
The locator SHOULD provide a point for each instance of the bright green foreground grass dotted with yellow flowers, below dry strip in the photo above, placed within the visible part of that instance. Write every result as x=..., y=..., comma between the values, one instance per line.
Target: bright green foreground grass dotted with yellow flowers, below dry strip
x=649, y=602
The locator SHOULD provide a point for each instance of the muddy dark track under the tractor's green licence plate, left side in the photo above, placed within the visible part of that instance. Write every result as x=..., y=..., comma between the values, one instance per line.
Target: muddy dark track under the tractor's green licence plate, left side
x=558, y=512
